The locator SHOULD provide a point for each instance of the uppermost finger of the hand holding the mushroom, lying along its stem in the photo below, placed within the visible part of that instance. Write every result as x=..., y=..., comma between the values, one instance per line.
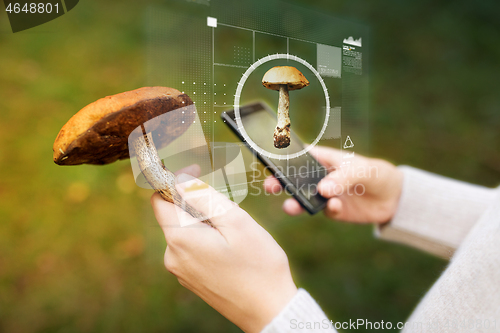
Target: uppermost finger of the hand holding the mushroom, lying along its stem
x=207, y=200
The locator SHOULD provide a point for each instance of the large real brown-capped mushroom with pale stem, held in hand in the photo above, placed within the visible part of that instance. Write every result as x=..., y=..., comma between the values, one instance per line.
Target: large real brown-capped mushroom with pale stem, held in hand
x=99, y=134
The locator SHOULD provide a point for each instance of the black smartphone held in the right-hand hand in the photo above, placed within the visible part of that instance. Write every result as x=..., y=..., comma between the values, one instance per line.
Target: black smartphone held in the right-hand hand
x=299, y=175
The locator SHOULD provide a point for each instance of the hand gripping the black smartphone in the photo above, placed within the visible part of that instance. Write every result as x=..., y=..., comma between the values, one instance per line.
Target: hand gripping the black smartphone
x=367, y=191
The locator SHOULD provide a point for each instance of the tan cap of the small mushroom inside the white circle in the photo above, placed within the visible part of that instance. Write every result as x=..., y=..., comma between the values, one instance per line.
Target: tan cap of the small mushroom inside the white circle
x=288, y=75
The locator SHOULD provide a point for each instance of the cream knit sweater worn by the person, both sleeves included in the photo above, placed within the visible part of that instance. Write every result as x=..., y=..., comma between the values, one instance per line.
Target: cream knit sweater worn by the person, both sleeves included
x=447, y=218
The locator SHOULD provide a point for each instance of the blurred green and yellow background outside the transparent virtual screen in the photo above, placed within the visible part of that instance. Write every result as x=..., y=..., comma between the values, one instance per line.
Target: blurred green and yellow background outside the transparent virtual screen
x=79, y=247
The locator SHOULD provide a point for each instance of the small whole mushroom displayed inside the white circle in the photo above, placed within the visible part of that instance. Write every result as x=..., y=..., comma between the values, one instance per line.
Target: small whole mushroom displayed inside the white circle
x=283, y=79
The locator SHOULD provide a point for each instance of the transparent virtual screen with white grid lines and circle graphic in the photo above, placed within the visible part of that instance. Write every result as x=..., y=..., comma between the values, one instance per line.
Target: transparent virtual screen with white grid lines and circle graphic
x=204, y=49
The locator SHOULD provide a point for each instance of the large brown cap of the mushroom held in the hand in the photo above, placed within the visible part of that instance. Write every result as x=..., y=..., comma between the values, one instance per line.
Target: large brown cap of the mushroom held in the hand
x=98, y=133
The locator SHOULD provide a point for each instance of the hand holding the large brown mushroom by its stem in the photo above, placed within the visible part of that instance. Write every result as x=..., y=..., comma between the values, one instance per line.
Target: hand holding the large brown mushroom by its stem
x=238, y=268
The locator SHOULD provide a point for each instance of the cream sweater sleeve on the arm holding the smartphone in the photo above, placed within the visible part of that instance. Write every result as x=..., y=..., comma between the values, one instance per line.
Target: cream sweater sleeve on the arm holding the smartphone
x=435, y=213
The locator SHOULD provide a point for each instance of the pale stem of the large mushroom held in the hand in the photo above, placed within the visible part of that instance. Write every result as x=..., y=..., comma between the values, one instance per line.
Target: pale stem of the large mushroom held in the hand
x=159, y=177
